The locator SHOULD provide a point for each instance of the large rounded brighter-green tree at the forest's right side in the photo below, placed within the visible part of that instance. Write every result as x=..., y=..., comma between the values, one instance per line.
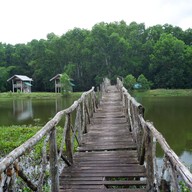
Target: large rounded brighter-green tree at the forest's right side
x=167, y=62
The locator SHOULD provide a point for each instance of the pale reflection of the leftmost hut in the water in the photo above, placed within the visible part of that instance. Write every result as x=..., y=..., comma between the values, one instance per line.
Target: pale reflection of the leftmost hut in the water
x=22, y=109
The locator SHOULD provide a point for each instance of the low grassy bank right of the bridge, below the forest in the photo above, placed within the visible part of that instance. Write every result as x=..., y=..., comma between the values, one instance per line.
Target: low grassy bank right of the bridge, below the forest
x=163, y=93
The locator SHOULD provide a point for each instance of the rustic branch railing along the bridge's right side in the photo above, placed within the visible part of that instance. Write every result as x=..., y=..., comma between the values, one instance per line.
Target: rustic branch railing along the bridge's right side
x=146, y=136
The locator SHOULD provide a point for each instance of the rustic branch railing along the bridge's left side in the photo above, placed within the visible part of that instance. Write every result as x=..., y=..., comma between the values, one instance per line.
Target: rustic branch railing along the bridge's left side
x=56, y=144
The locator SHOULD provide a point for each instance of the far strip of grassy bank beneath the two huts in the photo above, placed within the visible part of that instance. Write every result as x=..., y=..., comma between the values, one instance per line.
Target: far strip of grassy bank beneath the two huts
x=41, y=95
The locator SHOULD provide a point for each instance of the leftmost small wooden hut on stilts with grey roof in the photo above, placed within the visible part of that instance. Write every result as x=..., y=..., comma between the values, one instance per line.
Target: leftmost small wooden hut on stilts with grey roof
x=21, y=83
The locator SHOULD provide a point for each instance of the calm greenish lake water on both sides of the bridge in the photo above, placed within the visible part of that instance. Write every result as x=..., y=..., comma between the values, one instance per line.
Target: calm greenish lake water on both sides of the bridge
x=172, y=116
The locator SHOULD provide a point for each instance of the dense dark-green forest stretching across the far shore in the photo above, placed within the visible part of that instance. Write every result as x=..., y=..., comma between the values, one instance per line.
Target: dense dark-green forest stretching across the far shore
x=162, y=53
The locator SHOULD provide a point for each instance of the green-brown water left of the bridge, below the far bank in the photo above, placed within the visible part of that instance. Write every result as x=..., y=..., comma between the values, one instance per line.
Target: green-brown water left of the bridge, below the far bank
x=31, y=111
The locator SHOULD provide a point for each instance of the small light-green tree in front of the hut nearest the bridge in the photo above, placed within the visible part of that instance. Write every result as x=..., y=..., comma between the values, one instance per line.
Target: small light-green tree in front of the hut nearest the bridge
x=66, y=86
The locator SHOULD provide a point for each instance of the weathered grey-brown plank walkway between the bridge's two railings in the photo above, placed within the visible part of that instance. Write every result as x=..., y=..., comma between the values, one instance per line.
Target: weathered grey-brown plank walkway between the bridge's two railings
x=107, y=158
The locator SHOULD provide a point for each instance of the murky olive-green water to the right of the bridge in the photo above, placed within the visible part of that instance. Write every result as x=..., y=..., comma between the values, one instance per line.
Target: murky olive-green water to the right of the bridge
x=172, y=116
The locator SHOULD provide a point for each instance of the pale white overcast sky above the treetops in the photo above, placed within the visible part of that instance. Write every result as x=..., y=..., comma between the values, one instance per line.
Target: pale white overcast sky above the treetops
x=24, y=20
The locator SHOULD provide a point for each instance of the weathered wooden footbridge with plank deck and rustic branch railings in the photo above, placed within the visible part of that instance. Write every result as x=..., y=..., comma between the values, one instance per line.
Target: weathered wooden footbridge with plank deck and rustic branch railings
x=104, y=145
